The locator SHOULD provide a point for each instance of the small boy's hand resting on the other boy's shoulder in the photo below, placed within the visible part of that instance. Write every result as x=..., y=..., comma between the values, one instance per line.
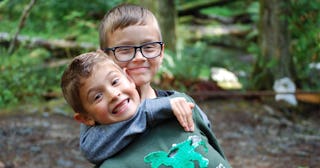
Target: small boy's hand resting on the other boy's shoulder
x=183, y=111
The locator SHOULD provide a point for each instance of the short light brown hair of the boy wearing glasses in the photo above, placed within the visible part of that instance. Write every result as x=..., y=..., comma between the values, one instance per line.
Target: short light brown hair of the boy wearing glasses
x=121, y=17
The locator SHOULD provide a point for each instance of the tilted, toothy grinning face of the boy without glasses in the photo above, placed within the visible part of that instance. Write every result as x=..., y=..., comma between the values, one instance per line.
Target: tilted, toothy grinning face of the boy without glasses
x=108, y=96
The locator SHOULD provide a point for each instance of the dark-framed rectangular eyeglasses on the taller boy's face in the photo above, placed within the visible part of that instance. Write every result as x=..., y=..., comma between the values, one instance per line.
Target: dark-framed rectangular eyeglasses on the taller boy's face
x=127, y=53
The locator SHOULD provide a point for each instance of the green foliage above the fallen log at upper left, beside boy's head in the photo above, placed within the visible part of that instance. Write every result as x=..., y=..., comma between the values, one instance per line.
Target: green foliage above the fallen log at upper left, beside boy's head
x=58, y=19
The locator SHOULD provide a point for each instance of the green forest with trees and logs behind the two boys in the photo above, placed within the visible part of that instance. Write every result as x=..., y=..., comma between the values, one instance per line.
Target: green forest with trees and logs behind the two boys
x=259, y=41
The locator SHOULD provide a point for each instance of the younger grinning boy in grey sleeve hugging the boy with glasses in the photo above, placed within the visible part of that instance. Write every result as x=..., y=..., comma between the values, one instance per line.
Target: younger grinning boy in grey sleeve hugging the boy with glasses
x=103, y=97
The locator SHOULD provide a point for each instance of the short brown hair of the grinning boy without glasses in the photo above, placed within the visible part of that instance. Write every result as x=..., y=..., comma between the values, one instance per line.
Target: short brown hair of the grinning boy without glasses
x=80, y=68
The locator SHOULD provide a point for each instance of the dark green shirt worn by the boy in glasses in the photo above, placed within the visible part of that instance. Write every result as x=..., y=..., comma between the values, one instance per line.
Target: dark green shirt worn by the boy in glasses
x=163, y=138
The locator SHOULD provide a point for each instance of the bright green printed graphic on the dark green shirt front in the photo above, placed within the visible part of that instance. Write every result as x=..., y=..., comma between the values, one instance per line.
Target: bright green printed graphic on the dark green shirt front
x=182, y=155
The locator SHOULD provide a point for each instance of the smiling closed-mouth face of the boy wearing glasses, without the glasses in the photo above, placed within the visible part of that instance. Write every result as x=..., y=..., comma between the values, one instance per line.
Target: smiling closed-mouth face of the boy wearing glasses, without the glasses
x=140, y=69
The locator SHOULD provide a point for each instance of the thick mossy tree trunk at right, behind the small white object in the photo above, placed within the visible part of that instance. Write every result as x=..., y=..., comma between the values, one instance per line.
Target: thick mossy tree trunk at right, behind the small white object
x=274, y=60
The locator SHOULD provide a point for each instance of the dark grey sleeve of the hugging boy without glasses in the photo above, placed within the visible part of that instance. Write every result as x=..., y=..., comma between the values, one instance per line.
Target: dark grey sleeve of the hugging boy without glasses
x=98, y=143
